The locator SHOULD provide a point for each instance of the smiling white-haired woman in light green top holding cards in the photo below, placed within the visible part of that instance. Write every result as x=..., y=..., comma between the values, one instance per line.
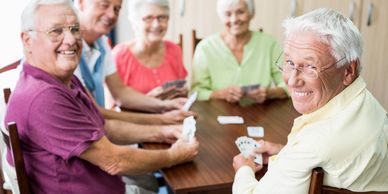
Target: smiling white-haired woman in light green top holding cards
x=237, y=57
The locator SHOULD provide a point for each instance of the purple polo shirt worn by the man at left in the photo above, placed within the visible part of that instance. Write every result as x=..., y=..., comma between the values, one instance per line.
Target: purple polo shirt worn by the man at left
x=56, y=124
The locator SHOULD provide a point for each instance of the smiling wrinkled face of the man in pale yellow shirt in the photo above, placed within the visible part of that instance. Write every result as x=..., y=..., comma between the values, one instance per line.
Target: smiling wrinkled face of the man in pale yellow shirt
x=304, y=50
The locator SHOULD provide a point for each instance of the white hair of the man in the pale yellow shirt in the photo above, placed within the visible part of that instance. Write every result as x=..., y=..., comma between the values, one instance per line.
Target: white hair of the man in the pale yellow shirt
x=333, y=29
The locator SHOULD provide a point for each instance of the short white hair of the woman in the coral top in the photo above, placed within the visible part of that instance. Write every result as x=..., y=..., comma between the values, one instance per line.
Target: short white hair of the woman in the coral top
x=135, y=5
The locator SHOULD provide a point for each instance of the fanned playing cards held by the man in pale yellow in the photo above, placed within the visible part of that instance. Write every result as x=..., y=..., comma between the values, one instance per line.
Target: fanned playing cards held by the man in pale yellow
x=246, y=146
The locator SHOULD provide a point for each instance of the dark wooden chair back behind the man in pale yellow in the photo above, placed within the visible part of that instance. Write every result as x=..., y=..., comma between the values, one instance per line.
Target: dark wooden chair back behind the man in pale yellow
x=317, y=187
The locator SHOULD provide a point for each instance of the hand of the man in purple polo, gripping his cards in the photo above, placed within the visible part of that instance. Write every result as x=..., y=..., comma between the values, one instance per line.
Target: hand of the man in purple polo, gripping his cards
x=183, y=151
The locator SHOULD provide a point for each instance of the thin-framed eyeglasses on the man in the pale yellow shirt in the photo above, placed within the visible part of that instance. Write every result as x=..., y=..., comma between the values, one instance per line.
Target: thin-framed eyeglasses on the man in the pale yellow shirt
x=306, y=71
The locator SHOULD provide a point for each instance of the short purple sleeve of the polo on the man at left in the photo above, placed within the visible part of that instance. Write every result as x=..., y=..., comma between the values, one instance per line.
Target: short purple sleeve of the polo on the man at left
x=61, y=126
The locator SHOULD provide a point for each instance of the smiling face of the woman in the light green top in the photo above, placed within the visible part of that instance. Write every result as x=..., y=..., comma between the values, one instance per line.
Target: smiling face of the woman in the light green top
x=236, y=18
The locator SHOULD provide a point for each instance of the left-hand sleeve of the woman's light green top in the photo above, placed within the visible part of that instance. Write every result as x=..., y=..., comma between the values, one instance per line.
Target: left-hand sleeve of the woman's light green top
x=201, y=76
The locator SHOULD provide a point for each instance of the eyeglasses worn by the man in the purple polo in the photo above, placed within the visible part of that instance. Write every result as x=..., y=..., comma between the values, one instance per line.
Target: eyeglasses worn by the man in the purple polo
x=57, y=34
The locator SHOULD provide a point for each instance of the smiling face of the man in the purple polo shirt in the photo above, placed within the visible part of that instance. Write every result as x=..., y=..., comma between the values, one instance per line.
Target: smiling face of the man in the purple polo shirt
x=54, y=45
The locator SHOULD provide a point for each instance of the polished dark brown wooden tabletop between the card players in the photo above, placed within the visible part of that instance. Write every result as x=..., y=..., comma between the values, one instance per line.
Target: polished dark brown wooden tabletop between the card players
x=212, y=171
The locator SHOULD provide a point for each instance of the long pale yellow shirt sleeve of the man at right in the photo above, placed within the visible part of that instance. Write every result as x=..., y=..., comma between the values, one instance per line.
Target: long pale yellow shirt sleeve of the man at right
x=290, y=172
